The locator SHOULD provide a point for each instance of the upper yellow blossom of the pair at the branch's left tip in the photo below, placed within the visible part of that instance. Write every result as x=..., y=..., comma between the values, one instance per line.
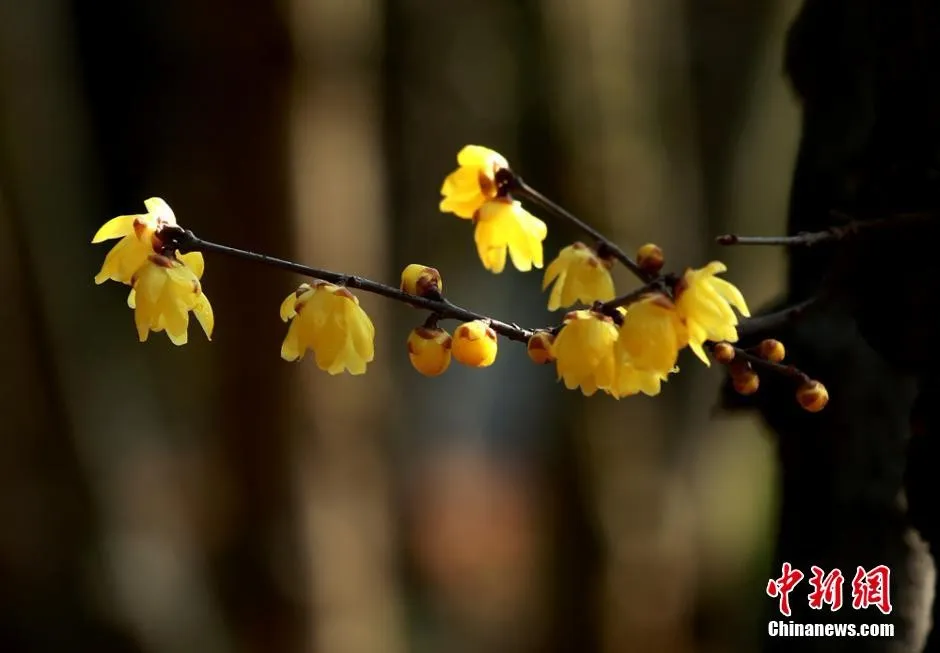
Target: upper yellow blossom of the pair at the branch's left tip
x=136, y=233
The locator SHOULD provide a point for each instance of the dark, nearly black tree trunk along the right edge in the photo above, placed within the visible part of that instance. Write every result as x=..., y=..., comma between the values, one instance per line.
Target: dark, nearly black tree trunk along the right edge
x=865, y=72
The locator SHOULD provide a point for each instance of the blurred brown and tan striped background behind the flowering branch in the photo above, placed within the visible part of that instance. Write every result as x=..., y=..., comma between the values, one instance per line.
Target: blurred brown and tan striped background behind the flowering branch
x=214, y=498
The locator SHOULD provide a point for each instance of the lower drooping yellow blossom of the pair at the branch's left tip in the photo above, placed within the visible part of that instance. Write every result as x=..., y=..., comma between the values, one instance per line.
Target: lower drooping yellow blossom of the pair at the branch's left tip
x=164, y=291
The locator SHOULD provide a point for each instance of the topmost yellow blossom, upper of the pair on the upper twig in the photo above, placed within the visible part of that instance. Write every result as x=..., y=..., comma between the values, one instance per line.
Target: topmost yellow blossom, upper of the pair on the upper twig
x=467, y=188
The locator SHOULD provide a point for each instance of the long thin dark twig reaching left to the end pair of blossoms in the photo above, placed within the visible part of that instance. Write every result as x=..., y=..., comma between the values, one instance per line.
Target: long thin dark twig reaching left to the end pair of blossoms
x=187, y=241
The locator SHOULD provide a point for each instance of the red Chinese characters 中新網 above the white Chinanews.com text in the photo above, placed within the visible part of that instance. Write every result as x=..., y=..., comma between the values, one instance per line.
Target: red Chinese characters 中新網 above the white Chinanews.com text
x=869, y=588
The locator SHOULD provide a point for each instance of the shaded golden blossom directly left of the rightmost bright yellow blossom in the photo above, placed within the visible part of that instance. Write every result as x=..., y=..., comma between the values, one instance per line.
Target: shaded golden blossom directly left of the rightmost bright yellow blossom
x=652, y=334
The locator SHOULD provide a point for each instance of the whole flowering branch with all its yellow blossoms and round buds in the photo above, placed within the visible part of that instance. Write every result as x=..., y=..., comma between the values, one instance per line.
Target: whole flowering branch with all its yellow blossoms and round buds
x=620, y=345
